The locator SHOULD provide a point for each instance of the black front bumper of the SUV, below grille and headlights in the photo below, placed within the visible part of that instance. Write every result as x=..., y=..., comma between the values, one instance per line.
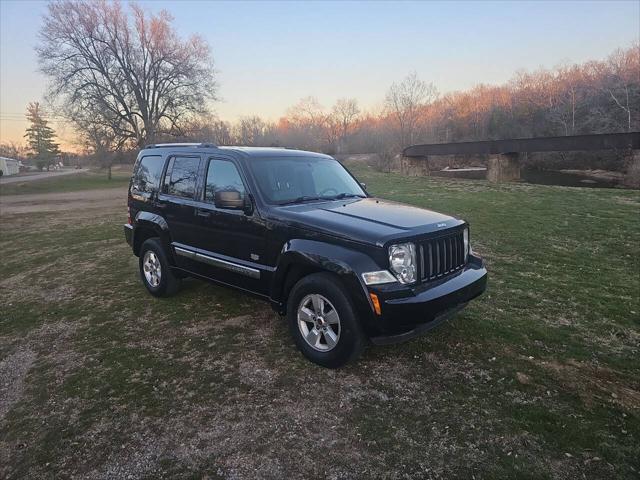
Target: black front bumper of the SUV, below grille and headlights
x=407, y=312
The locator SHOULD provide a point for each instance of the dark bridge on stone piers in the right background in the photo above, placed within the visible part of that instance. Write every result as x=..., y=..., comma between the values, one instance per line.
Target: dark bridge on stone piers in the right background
x=504, y=155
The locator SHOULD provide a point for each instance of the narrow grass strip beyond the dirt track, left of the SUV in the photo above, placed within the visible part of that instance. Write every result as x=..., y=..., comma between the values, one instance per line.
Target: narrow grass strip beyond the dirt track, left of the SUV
x=68, y=183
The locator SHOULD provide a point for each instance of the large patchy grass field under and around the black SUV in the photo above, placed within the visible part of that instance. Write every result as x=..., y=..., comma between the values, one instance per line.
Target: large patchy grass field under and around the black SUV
x=537, y=379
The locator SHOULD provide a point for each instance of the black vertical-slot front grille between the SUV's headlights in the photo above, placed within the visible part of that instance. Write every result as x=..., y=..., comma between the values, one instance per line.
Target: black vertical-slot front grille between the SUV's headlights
x=441, y=256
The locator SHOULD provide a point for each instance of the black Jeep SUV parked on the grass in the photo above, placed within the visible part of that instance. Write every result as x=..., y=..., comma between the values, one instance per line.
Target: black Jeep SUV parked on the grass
x=297, y=229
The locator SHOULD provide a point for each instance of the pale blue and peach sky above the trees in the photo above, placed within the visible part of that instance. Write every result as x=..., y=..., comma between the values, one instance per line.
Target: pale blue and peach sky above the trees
x=271, y=54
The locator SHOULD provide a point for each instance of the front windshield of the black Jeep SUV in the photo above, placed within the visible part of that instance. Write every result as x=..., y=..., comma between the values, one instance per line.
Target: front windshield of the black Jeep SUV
x=283, y=180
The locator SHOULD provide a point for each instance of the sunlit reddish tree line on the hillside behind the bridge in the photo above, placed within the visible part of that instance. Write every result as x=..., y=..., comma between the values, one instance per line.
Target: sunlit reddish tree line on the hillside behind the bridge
x=595, y=97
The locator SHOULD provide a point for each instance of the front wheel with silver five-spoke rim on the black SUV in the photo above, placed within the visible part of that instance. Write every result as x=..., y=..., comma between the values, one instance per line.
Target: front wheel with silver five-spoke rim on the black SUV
x=333, y=338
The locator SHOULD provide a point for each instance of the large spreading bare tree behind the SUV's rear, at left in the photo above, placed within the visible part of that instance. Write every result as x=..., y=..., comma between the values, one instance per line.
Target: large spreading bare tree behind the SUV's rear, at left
x=127, y=72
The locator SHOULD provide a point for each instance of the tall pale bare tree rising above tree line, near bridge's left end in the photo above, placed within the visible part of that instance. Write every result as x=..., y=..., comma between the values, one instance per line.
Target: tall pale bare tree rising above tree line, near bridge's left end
x=405, y=101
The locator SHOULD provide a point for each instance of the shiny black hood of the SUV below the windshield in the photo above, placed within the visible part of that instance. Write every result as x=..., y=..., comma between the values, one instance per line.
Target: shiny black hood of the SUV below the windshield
x=367, y=220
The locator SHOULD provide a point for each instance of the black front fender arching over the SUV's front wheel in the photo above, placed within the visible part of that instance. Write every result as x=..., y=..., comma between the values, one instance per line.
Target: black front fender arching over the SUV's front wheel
x=346, y=263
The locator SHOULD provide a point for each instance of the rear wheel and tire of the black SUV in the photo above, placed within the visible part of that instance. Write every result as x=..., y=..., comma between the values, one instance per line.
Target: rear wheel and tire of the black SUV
x=158, y=278
